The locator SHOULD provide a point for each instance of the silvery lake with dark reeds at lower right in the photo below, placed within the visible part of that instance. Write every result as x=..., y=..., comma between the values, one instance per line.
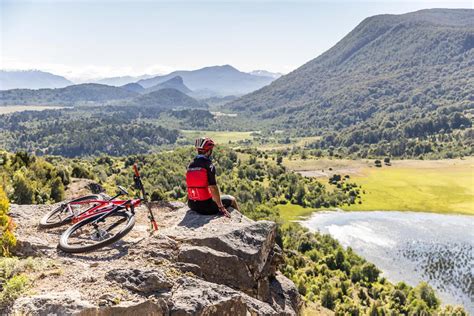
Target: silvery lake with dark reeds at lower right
x=410, y=247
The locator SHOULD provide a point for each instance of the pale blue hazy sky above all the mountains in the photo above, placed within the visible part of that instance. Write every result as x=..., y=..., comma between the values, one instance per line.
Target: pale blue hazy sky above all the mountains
x=89, y=39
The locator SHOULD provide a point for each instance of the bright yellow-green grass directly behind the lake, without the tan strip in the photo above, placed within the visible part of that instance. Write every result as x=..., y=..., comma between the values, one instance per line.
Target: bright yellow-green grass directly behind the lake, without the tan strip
x=443, y=190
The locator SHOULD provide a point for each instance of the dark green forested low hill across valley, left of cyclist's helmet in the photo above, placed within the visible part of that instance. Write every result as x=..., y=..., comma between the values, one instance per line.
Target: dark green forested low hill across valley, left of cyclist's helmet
x=81, y=132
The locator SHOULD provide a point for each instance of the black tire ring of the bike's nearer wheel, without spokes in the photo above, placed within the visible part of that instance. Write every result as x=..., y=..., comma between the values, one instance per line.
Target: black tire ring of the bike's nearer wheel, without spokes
x=64, y=244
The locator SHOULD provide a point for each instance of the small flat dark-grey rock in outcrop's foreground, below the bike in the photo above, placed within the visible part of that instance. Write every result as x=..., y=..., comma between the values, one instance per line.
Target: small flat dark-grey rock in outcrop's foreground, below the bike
x=140, y=280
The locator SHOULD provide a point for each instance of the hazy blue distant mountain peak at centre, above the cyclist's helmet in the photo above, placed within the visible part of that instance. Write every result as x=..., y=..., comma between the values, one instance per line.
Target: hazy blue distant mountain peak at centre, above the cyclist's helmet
x=214, y=81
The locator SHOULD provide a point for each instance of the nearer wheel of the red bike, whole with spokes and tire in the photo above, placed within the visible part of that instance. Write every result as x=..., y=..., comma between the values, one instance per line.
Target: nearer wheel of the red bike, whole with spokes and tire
x=90, y=234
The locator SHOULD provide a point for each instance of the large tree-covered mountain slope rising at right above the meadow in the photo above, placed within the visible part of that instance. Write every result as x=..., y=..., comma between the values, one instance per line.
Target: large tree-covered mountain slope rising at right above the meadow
x=393, y=78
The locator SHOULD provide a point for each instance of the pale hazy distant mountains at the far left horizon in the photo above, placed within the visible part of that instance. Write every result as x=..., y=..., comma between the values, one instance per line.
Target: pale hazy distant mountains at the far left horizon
x=31, y=79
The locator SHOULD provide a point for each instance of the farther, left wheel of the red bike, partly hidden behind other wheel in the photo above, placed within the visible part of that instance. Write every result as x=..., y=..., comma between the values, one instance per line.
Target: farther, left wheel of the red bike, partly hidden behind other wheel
x=61, y=215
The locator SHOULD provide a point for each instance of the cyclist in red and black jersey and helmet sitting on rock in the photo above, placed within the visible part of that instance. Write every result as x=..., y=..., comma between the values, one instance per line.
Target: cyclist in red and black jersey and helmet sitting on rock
x=203, y=193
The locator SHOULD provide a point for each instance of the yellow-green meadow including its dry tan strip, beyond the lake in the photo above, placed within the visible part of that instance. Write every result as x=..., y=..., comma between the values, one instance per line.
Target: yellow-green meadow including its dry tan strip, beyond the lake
x=441, y=186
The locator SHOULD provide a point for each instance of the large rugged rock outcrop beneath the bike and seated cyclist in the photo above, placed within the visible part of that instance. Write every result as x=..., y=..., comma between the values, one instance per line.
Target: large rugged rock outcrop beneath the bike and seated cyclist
x=193, y=265
